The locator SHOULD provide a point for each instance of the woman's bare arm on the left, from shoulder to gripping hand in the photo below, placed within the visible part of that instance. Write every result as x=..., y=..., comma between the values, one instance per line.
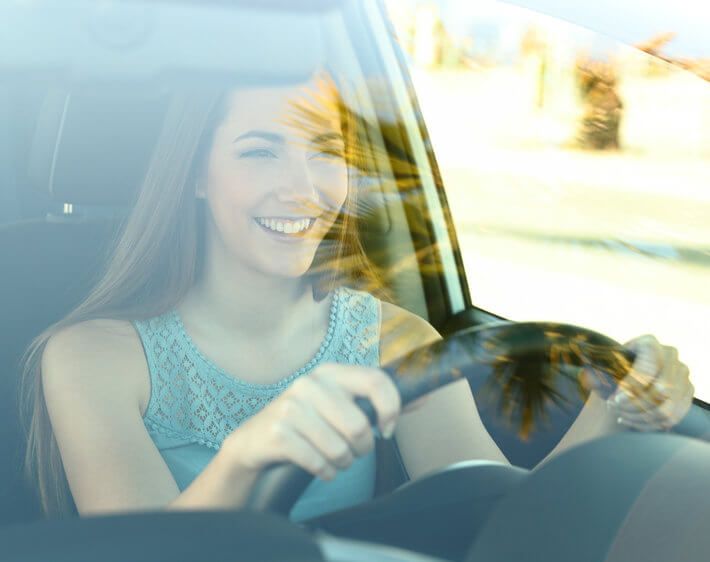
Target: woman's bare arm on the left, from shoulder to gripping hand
x=96, y=386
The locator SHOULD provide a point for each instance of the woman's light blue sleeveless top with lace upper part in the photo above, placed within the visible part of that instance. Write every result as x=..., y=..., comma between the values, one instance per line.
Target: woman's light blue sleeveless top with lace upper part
x=194, y=404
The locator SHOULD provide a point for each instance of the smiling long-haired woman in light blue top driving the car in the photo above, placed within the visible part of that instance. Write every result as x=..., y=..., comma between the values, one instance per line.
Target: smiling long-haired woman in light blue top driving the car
x=244, y=229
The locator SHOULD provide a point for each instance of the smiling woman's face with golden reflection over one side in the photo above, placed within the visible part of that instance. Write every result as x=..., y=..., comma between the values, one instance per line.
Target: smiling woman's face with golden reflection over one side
x=274, y=187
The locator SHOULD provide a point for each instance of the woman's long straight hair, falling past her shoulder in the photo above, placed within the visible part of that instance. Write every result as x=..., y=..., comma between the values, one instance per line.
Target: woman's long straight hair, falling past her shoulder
x=157, y=258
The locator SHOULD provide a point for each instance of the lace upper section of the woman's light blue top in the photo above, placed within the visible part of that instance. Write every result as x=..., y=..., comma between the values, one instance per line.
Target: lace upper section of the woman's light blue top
x=195, y=401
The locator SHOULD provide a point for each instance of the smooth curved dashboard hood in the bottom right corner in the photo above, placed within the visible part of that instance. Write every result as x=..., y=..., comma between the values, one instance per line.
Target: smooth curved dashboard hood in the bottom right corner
x=625, y=497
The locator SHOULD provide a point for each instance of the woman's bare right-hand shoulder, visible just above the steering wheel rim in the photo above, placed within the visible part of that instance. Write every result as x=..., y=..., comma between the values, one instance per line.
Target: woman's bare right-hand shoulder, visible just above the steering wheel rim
x=402, y=331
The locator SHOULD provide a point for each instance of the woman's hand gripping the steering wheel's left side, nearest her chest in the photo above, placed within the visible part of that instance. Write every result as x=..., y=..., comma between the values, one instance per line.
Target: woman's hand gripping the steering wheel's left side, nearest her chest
x=315, y=423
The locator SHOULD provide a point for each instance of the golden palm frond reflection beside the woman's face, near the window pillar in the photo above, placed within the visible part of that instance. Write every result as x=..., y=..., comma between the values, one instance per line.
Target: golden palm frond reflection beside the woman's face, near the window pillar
x=369, y=144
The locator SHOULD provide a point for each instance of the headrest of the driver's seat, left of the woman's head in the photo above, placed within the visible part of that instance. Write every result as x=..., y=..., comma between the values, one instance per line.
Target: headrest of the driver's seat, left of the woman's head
x=93, y=147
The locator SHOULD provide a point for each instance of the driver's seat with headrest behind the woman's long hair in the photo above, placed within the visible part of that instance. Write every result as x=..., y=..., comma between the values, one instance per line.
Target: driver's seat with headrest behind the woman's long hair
x=50, y=263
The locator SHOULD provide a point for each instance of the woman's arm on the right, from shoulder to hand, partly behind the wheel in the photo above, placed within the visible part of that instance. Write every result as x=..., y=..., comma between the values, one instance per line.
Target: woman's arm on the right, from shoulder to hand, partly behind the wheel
x=447, y=428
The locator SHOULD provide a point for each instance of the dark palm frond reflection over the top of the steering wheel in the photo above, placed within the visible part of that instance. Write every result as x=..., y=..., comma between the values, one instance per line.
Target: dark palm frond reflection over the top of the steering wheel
x=523, y=372
